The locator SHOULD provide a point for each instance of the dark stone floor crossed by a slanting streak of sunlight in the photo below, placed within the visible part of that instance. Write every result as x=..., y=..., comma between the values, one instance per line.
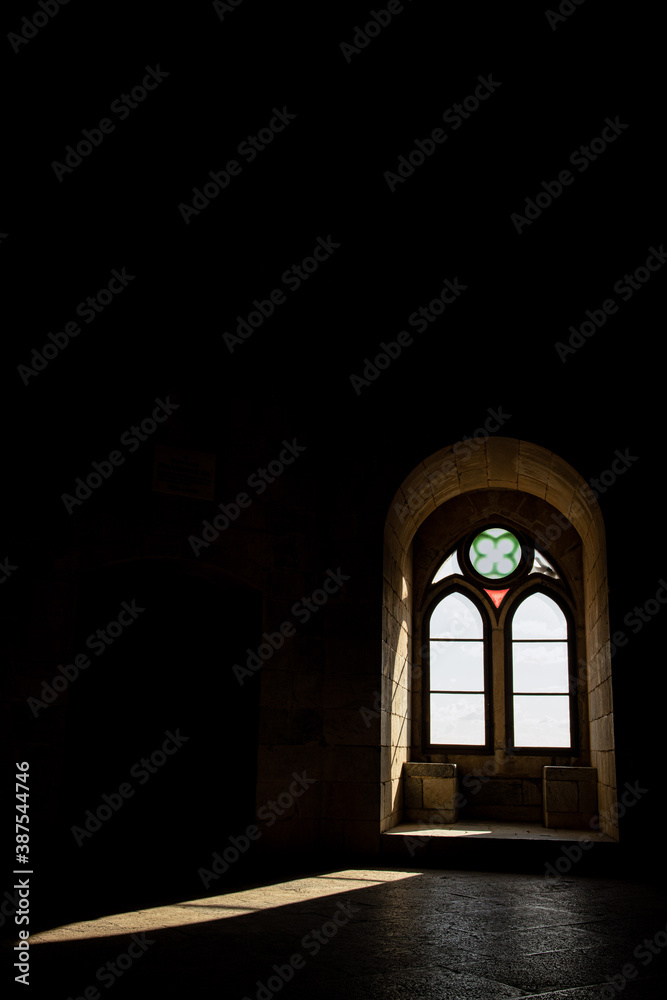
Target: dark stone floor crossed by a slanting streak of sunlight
x=379, y=932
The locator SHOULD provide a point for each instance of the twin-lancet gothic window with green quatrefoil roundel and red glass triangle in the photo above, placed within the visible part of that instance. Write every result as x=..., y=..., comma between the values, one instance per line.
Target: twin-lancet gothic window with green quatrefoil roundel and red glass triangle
x=499, y=619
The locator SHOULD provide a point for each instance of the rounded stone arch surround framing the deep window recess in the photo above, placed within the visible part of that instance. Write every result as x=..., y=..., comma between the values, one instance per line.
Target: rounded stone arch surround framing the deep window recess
x=497, y=464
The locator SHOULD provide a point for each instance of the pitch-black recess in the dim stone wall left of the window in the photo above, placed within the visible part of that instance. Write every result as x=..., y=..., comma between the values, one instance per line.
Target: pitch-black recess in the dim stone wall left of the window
x=161, y=749
